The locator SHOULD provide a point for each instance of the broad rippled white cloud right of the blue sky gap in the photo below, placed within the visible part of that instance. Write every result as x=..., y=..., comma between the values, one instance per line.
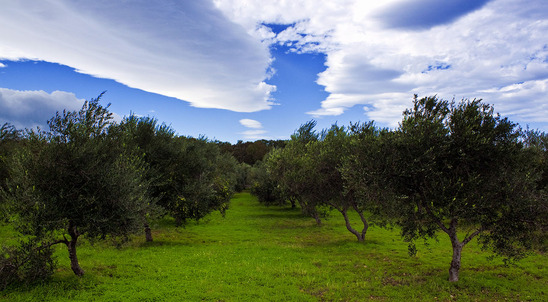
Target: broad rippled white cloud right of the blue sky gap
x=378, y=57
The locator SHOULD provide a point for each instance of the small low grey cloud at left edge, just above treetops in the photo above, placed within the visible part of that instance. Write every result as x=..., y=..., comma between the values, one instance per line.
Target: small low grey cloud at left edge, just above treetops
x=29, y=109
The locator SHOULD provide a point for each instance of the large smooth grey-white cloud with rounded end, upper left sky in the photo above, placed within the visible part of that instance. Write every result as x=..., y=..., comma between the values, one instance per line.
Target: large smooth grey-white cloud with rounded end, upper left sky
x=184, y=49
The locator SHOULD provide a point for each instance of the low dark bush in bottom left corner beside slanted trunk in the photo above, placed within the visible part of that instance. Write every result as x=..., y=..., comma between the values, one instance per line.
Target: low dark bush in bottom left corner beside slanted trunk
x=25, y=263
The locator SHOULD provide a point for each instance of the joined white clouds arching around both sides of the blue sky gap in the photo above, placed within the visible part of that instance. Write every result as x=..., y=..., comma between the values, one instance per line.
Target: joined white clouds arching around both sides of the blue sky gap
x=214, y=54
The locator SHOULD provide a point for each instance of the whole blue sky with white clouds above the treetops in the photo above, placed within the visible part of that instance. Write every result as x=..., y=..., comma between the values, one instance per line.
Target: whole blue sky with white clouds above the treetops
x=234, y=70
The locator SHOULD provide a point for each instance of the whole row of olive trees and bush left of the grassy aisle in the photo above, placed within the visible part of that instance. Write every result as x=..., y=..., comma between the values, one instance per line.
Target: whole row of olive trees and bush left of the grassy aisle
x=88, y=176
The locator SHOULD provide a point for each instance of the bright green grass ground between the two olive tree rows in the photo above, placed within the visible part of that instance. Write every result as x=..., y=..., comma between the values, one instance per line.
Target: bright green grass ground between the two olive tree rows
x=275, y=254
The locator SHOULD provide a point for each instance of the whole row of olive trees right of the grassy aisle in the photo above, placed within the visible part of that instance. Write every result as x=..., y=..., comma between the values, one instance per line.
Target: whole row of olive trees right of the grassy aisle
x=455, y=168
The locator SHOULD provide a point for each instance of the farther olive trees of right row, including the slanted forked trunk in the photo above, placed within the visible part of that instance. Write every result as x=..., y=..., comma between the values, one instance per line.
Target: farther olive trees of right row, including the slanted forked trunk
x=309, y=170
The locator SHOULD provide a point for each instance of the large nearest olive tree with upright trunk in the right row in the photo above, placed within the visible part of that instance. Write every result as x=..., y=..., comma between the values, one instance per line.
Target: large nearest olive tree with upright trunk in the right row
x=461, y=169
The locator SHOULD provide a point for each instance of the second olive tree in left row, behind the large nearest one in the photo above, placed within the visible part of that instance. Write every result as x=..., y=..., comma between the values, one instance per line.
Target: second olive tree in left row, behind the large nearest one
x=188, y=177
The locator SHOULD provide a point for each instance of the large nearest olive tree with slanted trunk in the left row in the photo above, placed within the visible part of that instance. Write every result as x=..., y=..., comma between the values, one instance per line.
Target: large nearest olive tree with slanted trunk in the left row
x=76, y=180
